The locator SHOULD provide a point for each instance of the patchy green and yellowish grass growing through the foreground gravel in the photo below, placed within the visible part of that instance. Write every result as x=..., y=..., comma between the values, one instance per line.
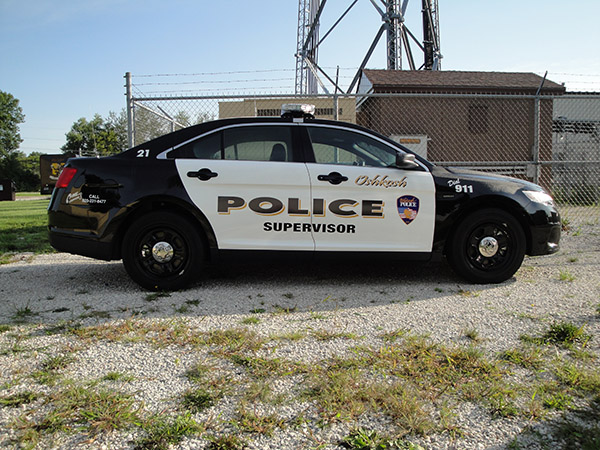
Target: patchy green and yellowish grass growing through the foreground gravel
x=405, y=380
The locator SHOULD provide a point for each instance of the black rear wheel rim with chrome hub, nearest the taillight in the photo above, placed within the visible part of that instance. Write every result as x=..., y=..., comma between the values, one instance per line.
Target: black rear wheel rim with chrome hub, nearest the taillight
x=171, y=265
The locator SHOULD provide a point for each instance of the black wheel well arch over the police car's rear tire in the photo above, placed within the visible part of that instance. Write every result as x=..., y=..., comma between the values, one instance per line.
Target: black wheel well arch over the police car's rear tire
x=174, y=206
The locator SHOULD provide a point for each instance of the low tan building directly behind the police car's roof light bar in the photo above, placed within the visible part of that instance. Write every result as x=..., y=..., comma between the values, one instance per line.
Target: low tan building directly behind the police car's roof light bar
x=265, y=107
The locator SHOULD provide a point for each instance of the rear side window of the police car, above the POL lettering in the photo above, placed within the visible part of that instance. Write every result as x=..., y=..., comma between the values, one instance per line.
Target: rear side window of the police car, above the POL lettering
x=256, y=143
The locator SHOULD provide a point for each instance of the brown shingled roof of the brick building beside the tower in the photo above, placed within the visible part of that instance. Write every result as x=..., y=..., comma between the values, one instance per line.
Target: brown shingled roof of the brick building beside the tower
x=455, y=81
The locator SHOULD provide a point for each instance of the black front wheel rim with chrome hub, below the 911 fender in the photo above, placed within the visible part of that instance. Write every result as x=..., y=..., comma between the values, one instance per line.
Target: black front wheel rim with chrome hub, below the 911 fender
x=500, y=253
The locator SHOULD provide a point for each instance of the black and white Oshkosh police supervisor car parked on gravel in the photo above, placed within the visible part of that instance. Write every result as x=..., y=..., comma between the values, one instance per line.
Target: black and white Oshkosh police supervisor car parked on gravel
x=292, y=186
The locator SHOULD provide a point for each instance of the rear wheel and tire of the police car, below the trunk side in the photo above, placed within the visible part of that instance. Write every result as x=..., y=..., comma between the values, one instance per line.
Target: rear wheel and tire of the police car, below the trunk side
x=163, y=251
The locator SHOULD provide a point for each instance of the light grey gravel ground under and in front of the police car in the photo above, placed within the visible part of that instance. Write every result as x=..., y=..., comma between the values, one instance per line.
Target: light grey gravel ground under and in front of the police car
x=329, y=309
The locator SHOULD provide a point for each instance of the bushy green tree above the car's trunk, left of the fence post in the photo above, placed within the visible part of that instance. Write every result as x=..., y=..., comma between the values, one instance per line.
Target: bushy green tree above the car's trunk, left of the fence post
x=97, y=137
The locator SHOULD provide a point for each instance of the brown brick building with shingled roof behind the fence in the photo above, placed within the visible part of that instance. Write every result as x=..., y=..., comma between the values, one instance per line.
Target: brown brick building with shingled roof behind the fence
x=470, y=122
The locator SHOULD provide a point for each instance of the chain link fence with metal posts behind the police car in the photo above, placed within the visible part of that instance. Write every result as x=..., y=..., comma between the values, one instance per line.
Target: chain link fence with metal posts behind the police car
x=552, y=141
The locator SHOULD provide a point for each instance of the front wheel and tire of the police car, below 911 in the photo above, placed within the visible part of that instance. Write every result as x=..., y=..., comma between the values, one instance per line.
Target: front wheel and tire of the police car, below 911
x=488, y=246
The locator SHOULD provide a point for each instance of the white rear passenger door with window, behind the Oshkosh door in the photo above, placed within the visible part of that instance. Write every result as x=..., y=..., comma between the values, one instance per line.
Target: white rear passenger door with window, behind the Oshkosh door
x=246, y=181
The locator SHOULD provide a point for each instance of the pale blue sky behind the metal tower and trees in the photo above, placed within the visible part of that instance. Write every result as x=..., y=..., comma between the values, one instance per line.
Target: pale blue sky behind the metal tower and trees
x=66, y=59
